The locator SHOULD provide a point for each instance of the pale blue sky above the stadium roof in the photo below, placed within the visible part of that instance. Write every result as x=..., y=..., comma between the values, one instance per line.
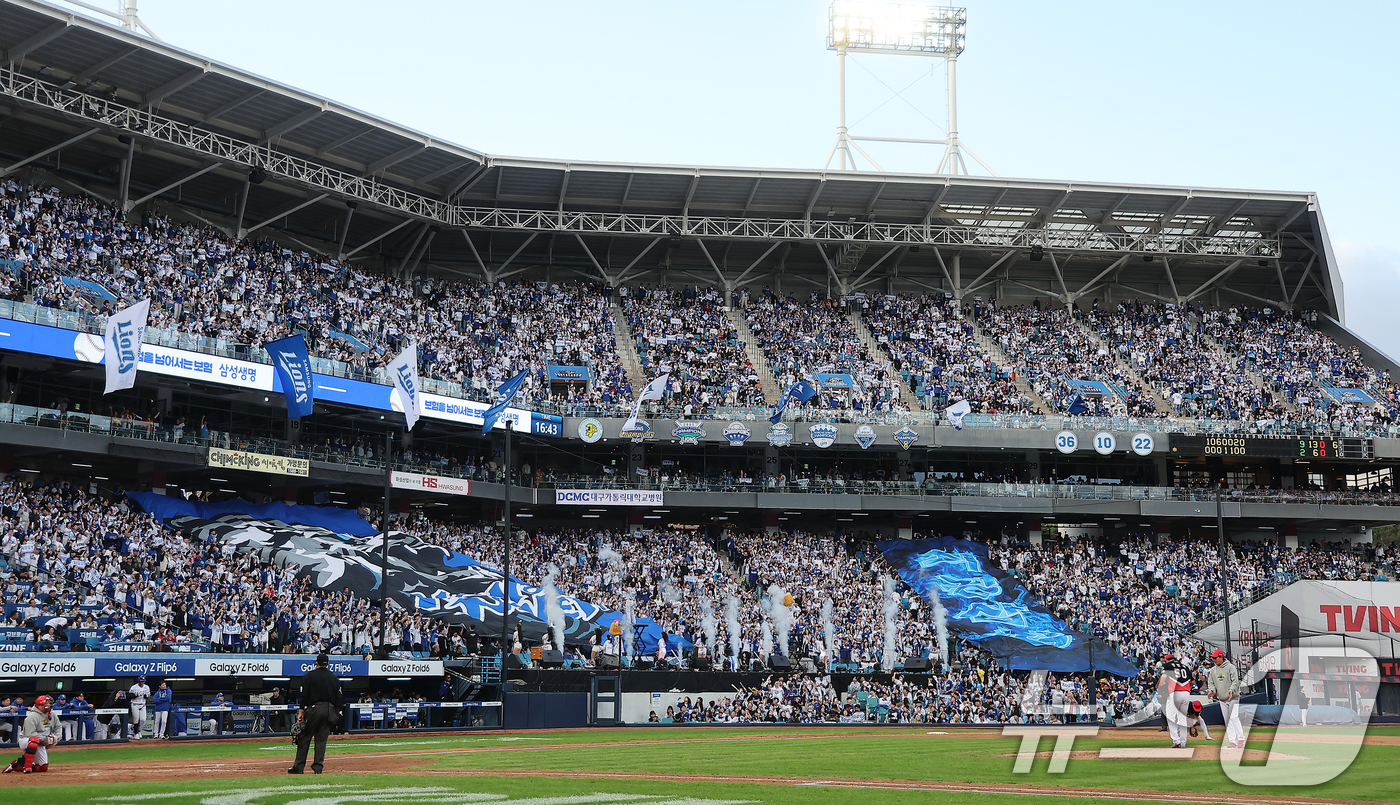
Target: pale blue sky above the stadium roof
x=1272, y=96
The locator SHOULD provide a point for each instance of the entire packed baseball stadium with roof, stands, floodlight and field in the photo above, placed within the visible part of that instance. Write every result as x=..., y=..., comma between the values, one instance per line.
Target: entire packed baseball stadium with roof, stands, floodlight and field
x=332, y=449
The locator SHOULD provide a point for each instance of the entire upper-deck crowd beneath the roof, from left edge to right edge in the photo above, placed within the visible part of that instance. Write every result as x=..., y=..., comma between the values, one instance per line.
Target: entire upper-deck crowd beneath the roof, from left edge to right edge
x=85, y=255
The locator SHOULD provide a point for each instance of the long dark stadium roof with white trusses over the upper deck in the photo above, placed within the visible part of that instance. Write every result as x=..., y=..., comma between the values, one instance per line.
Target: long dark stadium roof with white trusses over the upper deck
x=108, y=113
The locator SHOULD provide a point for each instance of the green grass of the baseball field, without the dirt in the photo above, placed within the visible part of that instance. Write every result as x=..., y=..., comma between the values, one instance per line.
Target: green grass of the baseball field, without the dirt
x=897, y=755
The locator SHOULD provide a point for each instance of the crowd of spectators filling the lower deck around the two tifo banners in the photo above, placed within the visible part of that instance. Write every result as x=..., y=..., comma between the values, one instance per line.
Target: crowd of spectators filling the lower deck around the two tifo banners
x=82, y=561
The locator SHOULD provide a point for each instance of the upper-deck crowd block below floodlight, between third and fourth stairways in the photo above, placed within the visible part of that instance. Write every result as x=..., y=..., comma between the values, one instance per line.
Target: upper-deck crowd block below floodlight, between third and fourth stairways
x=936, y=349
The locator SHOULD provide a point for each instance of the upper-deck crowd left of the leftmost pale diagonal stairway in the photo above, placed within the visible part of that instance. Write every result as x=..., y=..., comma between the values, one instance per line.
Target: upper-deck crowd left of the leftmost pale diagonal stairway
x=247, y=293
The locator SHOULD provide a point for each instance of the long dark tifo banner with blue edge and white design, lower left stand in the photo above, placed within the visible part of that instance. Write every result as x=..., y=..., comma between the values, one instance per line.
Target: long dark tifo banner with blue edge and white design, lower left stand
x=338, y=549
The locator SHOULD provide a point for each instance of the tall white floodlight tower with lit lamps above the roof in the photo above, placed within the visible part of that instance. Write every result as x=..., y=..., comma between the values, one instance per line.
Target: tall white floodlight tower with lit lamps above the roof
x=902, y=30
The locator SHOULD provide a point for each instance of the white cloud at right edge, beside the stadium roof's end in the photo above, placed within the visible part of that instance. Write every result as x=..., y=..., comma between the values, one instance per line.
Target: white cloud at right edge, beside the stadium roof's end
x=1371, y=278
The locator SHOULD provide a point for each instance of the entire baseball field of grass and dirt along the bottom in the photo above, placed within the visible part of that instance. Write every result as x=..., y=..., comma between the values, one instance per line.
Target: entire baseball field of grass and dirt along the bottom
x=692, y=766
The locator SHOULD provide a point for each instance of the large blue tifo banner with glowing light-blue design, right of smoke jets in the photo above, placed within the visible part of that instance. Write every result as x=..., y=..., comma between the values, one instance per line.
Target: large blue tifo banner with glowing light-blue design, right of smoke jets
x=990, y=608
